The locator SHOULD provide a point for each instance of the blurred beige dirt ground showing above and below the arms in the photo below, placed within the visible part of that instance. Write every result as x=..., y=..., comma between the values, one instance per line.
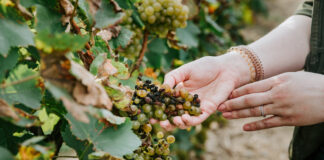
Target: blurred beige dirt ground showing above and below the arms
x=232, y=143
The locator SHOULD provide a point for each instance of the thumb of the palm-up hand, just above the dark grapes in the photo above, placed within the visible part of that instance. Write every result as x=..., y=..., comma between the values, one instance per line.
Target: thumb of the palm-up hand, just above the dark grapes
x=176, y=76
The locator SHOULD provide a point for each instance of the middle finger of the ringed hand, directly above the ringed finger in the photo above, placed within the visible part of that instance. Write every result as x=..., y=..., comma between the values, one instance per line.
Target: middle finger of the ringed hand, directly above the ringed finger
x=246, y=101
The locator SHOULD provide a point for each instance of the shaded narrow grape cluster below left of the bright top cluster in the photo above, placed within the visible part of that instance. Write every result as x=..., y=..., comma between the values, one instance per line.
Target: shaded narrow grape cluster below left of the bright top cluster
x=132, y=50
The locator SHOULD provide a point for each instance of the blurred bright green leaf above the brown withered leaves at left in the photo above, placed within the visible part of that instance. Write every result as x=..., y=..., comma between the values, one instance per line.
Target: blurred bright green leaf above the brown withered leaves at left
x=60, y=42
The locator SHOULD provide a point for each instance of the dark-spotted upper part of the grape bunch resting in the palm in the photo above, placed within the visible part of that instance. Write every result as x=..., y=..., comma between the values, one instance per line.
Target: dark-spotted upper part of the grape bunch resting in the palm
x=163, y=102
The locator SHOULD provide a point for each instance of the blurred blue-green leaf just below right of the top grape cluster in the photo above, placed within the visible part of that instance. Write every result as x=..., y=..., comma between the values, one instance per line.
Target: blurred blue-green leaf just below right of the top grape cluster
x=189, y=35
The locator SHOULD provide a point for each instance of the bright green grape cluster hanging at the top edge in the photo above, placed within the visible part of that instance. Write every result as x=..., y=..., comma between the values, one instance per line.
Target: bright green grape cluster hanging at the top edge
x=161, y=16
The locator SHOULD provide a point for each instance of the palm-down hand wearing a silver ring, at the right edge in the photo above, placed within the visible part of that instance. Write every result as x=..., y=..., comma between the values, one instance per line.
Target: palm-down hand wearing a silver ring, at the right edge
x=293, y=99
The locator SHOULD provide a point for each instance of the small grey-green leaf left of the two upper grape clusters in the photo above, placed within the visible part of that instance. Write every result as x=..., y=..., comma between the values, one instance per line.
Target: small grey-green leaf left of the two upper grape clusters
x=123, y=39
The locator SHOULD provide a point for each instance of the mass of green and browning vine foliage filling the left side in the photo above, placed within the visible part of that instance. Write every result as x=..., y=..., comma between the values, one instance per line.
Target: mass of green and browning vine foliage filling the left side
x=63, y=81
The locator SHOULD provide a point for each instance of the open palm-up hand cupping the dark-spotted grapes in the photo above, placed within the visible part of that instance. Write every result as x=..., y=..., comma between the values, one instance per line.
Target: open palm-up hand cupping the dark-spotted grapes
x=213, y=79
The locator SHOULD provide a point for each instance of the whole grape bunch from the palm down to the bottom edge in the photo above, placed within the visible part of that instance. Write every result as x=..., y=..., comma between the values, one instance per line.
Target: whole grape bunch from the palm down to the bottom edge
x=162, y=103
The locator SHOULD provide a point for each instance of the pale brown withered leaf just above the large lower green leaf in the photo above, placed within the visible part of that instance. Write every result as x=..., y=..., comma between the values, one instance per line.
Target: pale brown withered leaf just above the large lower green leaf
x=88, y=91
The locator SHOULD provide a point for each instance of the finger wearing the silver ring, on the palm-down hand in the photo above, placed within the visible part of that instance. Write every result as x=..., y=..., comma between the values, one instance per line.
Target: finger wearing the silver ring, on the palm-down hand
x=269, y=109
